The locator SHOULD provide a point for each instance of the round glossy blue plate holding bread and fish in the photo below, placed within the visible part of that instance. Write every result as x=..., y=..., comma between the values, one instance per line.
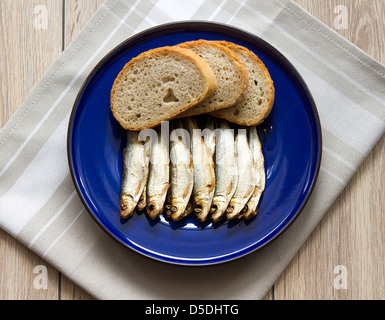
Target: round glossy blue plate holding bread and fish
x=290, y=136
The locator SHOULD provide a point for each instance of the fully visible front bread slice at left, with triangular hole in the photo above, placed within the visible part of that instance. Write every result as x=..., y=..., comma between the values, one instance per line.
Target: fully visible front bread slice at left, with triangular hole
x=157, y=85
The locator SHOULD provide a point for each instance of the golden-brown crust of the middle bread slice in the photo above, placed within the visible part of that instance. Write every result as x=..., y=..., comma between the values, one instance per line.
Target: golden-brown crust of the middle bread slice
x=244, y=75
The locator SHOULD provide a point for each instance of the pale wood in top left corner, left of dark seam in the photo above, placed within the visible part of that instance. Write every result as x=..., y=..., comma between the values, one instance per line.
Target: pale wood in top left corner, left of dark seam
x=25, y=51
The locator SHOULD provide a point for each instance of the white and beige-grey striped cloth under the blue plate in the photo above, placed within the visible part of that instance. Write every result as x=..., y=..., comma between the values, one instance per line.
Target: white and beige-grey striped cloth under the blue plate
x=38, y=202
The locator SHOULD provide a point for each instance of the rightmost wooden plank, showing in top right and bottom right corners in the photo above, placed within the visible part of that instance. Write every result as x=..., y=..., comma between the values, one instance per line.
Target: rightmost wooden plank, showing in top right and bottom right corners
x=351, y=234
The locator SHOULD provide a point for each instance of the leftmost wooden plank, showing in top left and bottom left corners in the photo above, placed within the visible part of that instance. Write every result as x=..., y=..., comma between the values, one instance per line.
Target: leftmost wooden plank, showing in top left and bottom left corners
x=29, y=44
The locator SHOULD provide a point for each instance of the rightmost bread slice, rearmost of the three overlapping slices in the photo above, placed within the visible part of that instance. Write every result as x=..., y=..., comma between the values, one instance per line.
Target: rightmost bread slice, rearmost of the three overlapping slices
x=259, y=99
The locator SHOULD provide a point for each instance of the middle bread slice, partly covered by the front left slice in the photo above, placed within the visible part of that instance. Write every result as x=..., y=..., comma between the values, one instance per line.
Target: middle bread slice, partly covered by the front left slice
x=230, y=73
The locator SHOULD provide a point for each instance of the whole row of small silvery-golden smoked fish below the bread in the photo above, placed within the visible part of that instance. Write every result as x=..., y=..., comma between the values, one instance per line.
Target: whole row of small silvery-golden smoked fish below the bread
x=216, y=173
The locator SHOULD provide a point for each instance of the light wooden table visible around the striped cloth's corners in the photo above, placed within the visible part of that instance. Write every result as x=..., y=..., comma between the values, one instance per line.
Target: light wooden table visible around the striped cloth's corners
x=350, y=235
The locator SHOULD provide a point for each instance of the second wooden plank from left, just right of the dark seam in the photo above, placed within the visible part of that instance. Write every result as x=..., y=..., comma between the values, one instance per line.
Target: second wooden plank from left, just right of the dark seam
x=77, y=14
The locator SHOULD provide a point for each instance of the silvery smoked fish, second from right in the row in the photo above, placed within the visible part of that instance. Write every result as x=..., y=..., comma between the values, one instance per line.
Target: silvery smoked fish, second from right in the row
x=246, y=174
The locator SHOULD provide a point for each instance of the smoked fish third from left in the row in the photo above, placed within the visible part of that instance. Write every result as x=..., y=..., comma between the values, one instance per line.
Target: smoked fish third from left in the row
x=181, y=177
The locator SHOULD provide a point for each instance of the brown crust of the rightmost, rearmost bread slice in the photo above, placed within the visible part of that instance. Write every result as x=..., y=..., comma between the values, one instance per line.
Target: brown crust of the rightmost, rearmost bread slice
x=269, y=81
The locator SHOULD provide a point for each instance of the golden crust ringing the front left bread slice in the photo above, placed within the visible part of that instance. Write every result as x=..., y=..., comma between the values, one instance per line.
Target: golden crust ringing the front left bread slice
x=203, y=67
